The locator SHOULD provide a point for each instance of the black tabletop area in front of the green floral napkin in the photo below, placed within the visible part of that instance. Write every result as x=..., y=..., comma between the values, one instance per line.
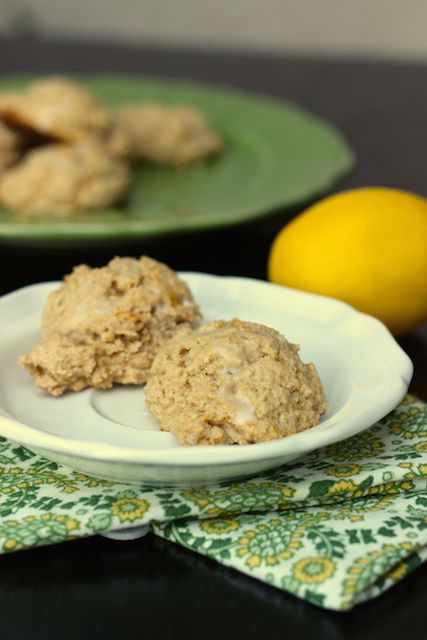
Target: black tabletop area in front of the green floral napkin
x=99, y=588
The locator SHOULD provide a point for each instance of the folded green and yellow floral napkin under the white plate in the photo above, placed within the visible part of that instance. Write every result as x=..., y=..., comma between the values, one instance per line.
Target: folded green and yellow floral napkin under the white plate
x=336, y=527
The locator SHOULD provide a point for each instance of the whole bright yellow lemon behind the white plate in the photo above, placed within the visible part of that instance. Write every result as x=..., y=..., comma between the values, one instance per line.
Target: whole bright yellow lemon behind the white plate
x=367, y=247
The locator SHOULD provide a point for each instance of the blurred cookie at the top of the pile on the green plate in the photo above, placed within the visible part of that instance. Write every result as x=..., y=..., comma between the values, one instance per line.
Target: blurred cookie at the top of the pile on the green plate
x=58, y=108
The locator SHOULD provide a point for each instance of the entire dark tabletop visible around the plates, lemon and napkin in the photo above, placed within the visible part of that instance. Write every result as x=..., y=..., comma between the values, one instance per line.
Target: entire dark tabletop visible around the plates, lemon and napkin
x=97, y=588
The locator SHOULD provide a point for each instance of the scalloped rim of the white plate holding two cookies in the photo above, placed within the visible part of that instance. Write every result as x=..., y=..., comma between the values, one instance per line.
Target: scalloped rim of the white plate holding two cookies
x=322, y=435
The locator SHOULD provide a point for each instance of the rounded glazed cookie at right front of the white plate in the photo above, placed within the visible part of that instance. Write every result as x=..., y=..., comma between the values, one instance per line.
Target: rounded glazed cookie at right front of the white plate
x=233, y=382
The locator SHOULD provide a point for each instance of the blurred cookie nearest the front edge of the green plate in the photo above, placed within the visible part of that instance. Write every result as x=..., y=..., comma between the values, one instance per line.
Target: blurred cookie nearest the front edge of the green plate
x=61, y=179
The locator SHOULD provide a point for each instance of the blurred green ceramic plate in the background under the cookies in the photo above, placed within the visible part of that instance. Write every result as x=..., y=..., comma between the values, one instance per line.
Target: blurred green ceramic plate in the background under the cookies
x=276, y=156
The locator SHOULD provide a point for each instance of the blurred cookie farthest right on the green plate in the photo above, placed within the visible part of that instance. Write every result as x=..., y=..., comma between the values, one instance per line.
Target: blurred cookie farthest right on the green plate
x=174, y=136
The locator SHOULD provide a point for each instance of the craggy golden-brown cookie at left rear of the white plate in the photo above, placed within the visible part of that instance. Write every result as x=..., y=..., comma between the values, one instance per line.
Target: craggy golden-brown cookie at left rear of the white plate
x=104, y=326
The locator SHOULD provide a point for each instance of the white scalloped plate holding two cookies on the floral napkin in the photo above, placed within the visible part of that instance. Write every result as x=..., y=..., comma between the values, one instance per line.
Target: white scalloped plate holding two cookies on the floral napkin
x=112, y=435
